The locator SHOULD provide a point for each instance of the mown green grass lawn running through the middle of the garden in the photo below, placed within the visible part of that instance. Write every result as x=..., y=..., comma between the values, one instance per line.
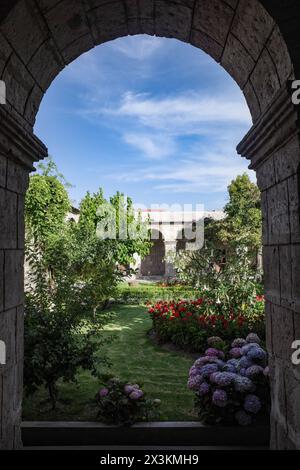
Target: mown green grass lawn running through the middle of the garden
x=133, y=357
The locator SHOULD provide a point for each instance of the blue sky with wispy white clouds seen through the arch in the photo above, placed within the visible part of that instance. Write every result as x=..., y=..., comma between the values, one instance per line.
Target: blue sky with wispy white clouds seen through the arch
x=154, y=118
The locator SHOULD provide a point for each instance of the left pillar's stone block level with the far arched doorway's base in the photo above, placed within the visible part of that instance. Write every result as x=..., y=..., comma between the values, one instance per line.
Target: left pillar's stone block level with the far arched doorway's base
x=14, y=282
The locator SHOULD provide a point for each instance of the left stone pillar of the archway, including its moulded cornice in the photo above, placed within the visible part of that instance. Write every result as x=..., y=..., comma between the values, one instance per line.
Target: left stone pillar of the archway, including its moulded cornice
x=18, y=150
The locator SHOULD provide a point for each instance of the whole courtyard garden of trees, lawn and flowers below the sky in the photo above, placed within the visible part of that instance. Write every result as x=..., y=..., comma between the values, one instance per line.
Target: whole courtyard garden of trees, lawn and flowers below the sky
x=99, y=347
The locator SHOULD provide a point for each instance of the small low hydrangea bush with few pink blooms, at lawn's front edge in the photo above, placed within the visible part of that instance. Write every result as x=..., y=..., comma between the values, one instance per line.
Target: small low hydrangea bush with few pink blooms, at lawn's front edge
x=124, y=403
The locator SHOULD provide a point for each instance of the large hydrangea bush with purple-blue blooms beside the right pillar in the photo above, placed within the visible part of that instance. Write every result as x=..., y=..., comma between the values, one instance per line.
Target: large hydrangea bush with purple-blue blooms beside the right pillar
x=233, y=389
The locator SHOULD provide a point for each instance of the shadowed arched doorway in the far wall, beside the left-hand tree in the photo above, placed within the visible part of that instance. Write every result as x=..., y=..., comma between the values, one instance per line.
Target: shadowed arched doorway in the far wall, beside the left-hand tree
x=153, y=265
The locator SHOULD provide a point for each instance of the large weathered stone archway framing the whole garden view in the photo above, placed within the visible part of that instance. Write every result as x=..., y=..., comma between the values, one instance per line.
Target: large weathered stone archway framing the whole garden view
x=257, y=43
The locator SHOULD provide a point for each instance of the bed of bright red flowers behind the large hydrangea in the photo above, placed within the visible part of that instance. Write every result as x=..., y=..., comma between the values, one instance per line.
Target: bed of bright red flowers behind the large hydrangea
x=188, y=324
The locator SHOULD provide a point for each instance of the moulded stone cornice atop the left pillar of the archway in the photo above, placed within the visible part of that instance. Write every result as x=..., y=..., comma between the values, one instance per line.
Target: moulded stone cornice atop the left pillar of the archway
x=17, y=143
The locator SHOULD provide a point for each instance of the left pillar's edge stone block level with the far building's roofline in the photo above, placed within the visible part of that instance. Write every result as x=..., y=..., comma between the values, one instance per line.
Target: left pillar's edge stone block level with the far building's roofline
x=8, y=219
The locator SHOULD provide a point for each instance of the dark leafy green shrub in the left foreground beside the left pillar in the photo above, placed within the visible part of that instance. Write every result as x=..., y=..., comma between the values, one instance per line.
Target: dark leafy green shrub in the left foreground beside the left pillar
x=58, y=340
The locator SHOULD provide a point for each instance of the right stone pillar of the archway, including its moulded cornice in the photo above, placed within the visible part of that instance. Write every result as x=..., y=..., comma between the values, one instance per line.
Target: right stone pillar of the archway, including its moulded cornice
x=273, y=147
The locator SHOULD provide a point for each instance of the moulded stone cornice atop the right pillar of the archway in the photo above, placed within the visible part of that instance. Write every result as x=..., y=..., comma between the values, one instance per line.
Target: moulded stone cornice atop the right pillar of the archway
x=274, y=128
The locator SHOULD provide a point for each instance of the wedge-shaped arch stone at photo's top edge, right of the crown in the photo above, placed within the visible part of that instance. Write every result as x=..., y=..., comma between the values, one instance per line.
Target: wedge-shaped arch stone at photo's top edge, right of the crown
x=213, y=18
